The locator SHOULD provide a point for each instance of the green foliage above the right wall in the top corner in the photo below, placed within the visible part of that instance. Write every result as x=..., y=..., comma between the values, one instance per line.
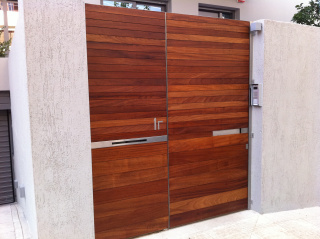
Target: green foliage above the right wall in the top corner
x=308, y=15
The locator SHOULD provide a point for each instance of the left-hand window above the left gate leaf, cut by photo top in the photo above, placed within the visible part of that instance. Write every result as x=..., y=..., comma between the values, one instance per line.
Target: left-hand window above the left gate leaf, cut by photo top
x=156, y=6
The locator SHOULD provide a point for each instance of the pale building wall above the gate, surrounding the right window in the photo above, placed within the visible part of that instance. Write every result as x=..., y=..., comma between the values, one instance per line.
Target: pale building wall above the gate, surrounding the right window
x=280, y=10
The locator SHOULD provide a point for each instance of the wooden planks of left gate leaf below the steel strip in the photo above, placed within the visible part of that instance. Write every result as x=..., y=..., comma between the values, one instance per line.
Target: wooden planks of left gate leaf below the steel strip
x=130, y=186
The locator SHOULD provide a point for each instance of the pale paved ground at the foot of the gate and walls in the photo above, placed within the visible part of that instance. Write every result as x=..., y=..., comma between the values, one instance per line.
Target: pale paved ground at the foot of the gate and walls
x=302, y=224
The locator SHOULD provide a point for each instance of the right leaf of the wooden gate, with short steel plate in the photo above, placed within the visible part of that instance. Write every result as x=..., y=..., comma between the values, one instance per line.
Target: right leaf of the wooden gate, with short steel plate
x=208, y=81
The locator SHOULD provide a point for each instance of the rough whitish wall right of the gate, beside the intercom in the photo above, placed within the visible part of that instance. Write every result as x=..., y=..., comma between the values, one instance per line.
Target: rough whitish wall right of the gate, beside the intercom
x=287, y=57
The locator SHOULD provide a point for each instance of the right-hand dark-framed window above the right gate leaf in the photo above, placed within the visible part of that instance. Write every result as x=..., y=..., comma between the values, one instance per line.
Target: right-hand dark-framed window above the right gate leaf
x=207, y=10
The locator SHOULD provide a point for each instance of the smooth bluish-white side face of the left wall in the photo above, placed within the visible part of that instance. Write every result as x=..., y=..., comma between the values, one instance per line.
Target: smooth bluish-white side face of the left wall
x=23, y=165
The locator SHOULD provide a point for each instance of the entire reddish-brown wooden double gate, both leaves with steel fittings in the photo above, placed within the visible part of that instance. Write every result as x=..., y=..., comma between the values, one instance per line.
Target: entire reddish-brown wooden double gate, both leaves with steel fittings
x=169, y=113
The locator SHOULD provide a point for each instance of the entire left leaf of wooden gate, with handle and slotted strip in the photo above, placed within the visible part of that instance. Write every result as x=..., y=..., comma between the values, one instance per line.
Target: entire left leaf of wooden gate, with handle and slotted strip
x=128, y=106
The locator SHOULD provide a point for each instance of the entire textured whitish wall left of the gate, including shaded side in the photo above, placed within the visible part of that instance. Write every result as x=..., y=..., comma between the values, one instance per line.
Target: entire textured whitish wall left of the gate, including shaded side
x=51, y=125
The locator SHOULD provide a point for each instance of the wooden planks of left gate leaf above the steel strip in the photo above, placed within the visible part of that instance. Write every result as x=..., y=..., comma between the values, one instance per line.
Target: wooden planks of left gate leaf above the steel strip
x=127, y=74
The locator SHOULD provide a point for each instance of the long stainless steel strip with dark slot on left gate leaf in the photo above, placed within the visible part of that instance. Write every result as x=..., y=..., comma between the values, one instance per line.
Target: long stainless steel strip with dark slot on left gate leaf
x=124, y=142
